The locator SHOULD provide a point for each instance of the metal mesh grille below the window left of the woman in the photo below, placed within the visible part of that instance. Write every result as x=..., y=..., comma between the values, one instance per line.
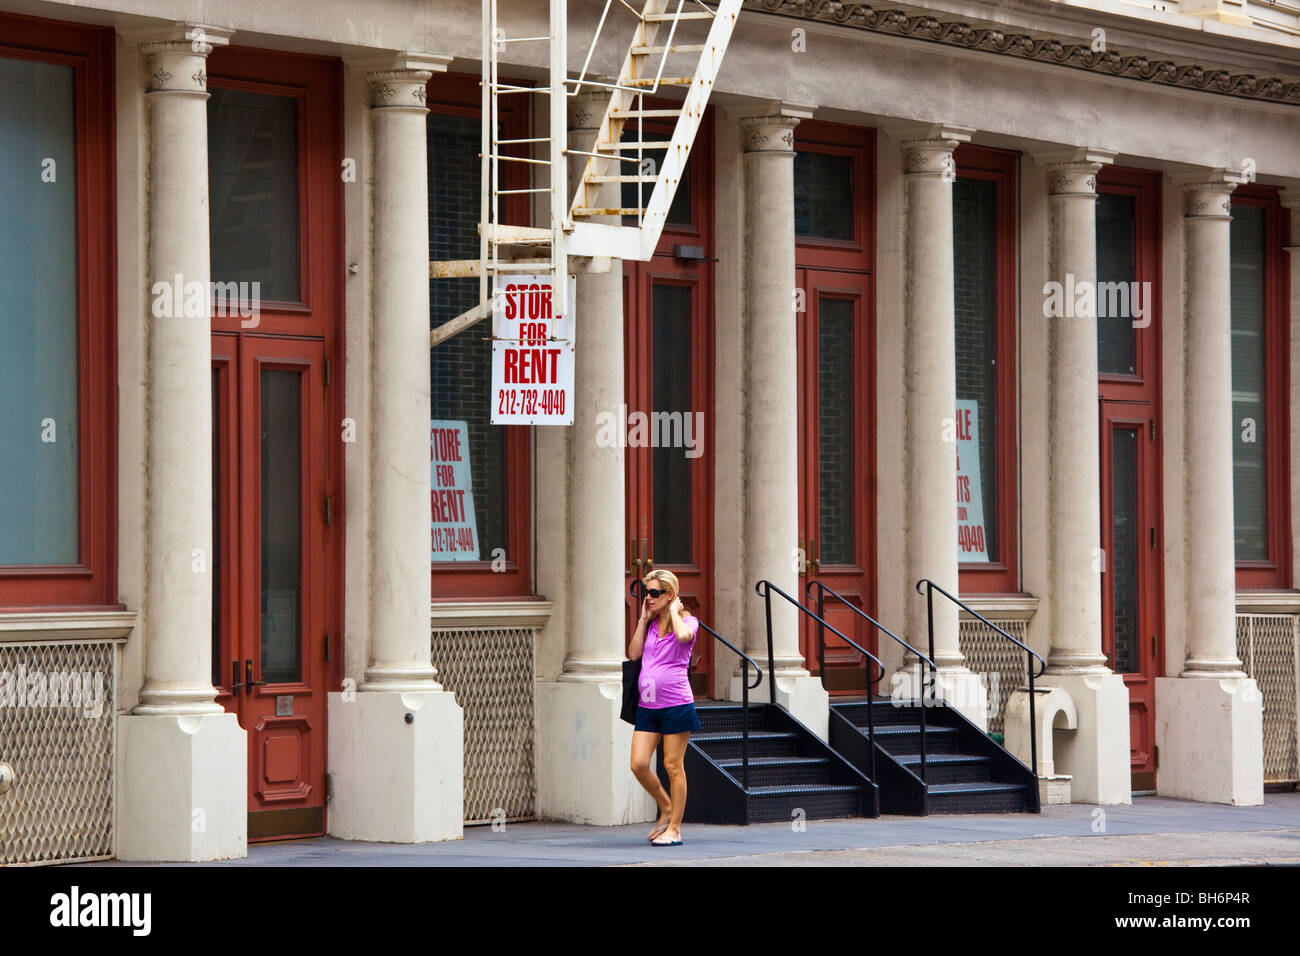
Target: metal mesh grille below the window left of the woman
x=491, y=673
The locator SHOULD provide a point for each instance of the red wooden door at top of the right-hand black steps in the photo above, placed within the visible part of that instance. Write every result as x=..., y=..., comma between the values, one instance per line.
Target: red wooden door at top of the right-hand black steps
x=837, y=429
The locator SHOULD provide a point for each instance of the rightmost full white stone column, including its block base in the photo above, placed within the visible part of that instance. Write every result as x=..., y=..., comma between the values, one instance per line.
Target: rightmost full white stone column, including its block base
x=1210, y=719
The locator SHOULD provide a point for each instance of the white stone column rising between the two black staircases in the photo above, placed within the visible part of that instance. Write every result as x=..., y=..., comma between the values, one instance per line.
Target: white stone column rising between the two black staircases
x=772, y=414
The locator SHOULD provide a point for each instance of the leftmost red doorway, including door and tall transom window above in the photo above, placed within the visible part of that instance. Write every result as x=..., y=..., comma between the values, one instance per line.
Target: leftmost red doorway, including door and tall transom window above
x=275, y=152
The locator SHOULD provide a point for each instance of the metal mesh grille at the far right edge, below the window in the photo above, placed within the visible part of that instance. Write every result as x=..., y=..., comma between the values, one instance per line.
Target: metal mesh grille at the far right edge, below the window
x=1267, y=644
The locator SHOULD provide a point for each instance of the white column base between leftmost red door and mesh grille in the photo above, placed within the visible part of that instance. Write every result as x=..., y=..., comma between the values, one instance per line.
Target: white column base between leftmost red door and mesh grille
x=396, y=781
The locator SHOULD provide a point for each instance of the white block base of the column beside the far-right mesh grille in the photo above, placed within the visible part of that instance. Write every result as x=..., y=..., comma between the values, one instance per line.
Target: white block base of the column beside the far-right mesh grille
x=1211, y=739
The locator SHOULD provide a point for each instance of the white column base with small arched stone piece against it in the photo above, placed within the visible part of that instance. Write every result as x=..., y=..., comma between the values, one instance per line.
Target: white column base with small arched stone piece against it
x=1097, y=752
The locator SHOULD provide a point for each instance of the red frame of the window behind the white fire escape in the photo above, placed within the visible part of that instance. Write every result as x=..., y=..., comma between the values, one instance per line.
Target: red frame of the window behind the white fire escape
x=456, y=94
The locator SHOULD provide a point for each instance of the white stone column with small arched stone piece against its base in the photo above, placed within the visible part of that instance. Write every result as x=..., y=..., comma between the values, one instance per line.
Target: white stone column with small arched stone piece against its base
x=1097, y=754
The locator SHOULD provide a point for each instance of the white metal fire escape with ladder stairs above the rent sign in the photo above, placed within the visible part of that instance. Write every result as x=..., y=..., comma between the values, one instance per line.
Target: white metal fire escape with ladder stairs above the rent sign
x=695, y=38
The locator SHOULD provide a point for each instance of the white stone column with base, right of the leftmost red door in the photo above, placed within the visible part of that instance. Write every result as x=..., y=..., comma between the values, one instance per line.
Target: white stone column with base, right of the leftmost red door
x=396, y=746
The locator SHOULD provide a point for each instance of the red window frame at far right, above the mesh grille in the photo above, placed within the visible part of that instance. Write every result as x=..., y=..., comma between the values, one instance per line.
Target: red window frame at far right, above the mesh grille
x=1275, y=573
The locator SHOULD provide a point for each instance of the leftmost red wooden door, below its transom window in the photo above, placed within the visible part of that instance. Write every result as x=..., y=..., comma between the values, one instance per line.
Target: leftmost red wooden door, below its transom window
x=275, y=622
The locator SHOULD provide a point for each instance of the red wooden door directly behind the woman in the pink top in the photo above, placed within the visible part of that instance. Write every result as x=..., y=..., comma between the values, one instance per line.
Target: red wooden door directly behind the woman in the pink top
x=669, y=384
